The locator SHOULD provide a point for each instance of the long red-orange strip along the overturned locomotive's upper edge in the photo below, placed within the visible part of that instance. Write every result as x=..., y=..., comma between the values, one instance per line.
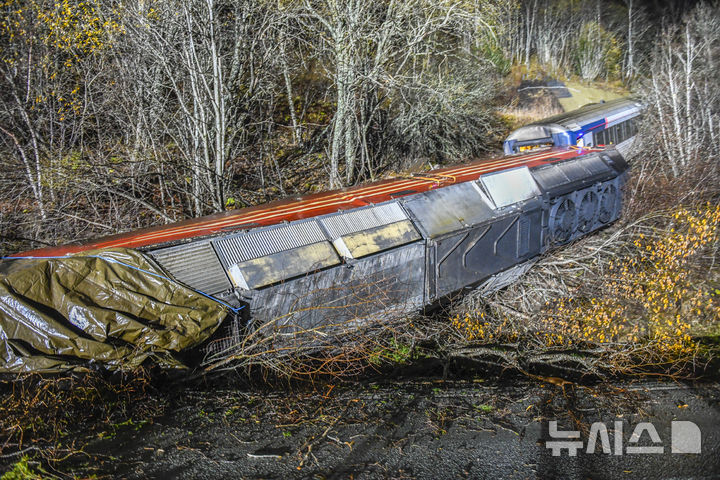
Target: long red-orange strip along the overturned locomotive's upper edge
x=299, y=208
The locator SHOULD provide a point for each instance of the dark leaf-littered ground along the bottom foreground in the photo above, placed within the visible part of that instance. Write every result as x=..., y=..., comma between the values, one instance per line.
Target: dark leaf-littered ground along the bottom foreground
x=408, y=427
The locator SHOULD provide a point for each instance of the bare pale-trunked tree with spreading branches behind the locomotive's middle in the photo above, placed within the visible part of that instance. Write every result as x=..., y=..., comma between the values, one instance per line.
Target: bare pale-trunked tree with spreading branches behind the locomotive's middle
x=375, y=52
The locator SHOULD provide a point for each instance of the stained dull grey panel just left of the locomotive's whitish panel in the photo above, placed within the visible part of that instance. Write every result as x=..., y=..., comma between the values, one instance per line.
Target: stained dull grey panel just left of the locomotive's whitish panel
x=449, y=209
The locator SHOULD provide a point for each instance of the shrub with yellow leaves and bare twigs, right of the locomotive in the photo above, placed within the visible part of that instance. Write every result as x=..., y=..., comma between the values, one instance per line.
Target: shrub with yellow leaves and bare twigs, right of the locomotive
x=644, y=310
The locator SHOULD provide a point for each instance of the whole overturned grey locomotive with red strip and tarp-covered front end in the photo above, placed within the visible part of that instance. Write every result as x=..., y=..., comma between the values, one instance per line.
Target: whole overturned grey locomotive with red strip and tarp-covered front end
x=334, y=258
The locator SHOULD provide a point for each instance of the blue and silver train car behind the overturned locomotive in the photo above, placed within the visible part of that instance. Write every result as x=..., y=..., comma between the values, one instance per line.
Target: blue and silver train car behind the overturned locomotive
x=595, y=124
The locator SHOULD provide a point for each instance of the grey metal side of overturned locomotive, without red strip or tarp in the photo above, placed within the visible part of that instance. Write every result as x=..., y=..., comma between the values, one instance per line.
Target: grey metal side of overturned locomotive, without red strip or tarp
x=399, y=255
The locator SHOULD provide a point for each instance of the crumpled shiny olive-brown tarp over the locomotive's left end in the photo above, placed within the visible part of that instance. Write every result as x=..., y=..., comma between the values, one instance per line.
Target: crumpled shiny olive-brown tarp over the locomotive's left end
x=111, y=307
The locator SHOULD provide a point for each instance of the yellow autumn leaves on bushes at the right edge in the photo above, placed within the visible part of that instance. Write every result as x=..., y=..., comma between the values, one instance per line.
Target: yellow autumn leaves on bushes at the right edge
x=652, y=297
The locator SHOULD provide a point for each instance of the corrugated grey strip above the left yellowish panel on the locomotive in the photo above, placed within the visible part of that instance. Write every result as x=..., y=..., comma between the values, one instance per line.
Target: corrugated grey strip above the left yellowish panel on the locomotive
x=256, y=244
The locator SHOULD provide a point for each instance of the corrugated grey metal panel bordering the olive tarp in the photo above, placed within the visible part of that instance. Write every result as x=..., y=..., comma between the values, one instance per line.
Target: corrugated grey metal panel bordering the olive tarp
x=194, y=264
